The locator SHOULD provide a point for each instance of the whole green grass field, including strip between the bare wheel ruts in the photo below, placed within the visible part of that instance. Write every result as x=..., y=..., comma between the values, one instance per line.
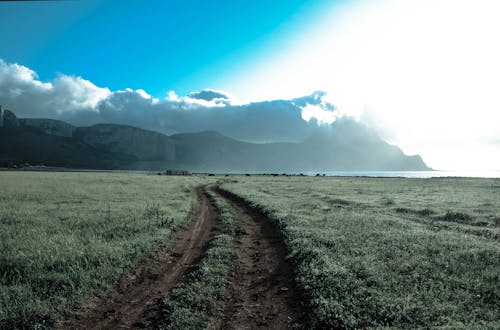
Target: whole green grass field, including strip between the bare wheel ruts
x=367, y=252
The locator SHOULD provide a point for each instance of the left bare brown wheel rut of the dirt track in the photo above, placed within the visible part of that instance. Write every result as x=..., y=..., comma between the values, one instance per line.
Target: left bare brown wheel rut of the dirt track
x=124, y=305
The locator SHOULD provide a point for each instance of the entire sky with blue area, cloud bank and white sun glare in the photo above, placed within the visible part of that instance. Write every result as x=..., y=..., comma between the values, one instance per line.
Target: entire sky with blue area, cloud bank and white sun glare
x=423, y=74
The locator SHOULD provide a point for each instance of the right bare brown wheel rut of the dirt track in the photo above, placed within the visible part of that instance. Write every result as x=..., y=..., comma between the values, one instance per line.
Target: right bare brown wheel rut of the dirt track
x=261, y=293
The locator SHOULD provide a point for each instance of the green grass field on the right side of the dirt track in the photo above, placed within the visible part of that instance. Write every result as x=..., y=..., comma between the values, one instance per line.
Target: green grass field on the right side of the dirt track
x=389, y=253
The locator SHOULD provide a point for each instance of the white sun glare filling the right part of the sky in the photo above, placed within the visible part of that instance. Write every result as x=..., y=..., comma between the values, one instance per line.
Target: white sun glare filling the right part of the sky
x=425, y=73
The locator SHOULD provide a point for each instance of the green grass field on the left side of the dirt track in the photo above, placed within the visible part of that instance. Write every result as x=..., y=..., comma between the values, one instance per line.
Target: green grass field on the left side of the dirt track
x=67, y=236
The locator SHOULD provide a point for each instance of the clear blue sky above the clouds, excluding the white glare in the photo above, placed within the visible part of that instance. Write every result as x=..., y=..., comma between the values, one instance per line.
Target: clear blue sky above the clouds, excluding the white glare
x=153, y=45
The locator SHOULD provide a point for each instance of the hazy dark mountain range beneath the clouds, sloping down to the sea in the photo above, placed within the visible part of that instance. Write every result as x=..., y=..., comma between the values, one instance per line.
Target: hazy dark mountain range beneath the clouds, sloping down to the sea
x=347, y=146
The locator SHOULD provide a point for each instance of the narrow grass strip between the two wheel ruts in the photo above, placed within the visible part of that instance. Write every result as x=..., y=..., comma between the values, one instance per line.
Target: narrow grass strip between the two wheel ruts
x=196, y=300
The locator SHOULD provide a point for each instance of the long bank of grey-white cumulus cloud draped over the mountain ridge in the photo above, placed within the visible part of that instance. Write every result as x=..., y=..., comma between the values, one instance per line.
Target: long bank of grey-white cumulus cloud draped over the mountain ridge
x=80, y=102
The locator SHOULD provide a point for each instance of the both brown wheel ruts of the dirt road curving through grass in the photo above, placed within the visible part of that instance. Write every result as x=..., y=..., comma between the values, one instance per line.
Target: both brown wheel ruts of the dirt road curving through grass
x=260, y=292
